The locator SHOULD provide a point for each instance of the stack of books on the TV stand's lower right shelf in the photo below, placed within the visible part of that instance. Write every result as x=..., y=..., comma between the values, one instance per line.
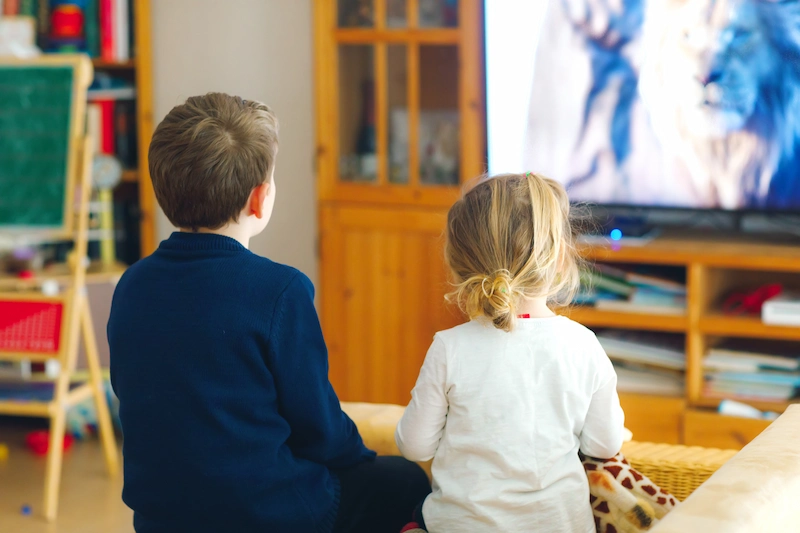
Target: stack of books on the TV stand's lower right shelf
x=751, y=370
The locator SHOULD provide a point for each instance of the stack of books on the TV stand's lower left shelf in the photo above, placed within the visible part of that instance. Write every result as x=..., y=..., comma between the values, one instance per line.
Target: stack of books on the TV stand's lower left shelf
x=649, y=363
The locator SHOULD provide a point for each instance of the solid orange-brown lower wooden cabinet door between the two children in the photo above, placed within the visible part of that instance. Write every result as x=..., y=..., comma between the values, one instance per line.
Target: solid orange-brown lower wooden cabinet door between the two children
x=383, y=282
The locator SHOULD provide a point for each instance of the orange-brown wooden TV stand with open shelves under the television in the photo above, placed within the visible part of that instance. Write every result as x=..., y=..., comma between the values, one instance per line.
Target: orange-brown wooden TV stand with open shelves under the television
x=714, y=268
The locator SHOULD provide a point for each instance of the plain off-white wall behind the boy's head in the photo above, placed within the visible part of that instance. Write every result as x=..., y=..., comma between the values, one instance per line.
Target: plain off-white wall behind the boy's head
x=260, y=50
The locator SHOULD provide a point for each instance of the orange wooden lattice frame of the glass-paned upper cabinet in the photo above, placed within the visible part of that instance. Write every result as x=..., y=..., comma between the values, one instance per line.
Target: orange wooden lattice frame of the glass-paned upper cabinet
x=471, y=106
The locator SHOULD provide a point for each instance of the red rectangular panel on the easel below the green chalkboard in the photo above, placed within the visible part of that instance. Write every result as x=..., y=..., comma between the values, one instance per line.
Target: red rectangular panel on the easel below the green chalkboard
x=30, y=326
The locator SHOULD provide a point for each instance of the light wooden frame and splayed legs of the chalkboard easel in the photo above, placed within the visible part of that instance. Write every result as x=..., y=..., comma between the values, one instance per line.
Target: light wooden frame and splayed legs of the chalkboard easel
x=76, y=320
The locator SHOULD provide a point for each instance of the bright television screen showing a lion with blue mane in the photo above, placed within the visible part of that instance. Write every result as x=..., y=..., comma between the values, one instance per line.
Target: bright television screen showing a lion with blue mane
x=672, y=103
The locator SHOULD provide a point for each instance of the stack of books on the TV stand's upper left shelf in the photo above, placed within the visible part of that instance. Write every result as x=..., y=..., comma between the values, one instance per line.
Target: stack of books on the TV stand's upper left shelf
x=634, y=290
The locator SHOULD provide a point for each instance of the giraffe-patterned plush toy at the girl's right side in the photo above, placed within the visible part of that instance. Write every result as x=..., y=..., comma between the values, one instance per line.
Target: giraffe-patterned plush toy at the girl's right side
x=623, y=500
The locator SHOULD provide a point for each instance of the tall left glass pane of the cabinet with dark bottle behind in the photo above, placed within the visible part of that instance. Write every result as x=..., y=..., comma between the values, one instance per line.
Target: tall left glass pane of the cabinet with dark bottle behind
x=358, y=150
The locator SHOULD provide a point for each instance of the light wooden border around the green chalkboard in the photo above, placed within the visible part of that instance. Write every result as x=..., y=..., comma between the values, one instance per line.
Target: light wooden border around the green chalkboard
x=81, y=79
